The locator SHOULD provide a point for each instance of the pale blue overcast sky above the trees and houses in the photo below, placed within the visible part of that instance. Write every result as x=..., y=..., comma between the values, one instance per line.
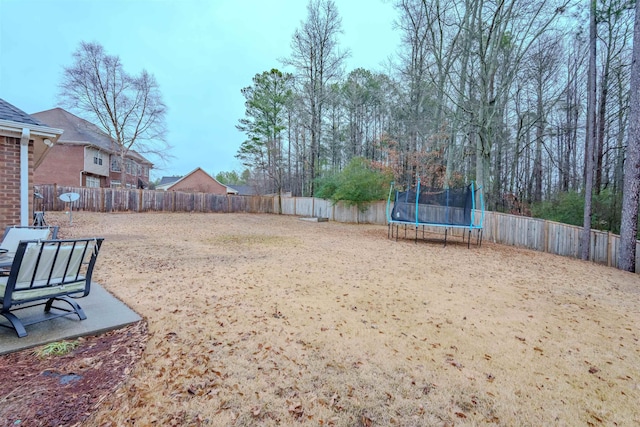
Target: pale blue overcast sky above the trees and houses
x=202, y=52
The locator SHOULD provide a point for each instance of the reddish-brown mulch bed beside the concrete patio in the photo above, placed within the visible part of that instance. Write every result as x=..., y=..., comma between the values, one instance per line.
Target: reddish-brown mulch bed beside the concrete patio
x=65, y=390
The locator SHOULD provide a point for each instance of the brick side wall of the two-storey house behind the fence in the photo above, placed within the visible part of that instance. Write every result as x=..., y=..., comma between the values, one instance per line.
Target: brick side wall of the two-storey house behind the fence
x=62, y=166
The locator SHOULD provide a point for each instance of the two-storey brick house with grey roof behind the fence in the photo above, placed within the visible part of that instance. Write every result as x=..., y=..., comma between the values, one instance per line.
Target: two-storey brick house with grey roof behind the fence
x=85, y=156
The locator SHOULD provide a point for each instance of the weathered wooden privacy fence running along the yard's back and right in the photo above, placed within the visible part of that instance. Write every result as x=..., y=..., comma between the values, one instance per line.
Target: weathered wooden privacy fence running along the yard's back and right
x=532, y=233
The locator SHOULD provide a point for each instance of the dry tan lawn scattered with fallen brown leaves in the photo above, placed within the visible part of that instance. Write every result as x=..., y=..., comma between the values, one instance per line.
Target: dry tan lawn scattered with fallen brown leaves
x=269, y=320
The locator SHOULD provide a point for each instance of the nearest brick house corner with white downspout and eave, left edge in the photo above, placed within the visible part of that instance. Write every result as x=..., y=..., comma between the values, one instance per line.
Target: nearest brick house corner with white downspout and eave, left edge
x=24, y=143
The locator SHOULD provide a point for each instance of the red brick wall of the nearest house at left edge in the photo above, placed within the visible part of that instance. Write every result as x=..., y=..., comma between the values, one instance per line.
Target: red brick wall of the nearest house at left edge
x=10, y=181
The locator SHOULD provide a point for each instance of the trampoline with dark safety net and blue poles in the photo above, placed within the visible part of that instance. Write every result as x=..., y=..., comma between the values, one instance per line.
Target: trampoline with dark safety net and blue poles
x=445, y=208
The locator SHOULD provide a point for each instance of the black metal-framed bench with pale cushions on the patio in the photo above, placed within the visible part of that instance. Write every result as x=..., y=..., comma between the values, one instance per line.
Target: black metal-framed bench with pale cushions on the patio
x=44, y=272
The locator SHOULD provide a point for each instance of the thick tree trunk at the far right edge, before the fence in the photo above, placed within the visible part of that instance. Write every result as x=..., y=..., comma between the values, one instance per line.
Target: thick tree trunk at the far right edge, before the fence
x=631, y=191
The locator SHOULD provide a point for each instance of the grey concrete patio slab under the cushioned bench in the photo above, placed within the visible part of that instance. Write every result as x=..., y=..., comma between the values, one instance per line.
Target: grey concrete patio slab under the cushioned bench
x=104, y=313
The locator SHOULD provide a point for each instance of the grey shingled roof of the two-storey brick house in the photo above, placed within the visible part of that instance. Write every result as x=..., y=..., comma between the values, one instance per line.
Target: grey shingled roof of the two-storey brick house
x=82, y=132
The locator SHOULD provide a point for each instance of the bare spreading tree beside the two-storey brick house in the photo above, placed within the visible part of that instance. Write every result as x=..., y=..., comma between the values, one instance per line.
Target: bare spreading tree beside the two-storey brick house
x=128, y=108
